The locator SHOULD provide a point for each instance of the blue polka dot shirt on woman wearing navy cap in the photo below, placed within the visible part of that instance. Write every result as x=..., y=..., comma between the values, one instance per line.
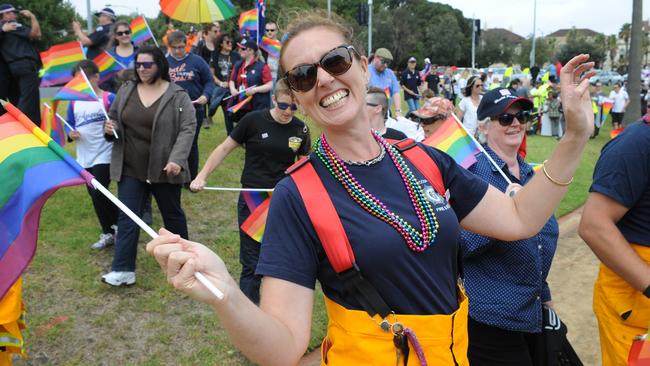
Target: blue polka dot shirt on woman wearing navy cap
x=506, y=281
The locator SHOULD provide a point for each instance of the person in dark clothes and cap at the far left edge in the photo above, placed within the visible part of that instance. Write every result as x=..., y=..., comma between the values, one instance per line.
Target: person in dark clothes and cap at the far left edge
x=20, y=59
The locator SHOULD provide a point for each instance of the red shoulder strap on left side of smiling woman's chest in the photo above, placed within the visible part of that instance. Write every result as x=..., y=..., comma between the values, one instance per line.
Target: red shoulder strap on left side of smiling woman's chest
x=323, y=215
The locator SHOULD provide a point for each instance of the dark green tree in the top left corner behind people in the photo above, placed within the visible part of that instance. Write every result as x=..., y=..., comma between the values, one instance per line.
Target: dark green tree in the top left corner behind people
x=55, y=18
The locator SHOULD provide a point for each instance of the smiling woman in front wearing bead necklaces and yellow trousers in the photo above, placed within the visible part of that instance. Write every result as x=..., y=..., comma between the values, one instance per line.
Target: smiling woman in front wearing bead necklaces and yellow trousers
x=403, y=235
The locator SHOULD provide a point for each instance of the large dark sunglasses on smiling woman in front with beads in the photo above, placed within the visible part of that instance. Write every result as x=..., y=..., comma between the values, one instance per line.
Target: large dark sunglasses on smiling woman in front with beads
x=336, y=61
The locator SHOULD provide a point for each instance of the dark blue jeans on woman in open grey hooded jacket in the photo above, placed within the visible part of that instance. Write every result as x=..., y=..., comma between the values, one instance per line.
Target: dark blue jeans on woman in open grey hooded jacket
x=134, y=193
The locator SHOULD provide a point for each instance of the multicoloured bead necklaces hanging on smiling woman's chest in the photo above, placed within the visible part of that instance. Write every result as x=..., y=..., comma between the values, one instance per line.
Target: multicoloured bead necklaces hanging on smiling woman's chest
x=415, y=240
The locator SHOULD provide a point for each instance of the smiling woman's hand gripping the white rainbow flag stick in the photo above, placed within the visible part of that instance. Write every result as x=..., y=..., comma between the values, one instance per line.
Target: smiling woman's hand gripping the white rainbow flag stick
x=180, y=258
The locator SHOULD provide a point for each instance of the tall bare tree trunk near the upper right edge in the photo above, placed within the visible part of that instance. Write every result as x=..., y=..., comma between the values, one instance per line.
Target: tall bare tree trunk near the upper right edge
x=634, y=71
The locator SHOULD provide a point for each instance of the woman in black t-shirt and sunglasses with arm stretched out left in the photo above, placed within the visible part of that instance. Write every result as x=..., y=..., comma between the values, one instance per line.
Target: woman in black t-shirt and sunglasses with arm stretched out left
x=273, y=139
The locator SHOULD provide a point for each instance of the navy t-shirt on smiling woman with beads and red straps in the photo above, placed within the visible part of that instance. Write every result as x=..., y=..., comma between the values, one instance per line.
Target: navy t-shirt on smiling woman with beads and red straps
x=409, y=282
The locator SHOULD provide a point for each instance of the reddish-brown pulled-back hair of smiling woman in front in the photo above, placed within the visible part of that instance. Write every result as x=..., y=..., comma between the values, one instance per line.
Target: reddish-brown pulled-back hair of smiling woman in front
x=306, y=20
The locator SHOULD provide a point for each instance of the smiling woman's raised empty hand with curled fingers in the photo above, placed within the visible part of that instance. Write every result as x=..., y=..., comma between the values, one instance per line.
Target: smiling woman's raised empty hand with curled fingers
x=576, y=102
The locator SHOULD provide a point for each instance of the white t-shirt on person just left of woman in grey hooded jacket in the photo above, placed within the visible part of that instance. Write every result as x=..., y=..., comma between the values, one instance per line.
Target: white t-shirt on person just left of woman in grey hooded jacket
x=92, y=148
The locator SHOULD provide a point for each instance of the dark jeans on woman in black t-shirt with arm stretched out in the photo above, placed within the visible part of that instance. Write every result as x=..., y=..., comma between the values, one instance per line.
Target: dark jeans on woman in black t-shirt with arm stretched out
x=249, y=255
